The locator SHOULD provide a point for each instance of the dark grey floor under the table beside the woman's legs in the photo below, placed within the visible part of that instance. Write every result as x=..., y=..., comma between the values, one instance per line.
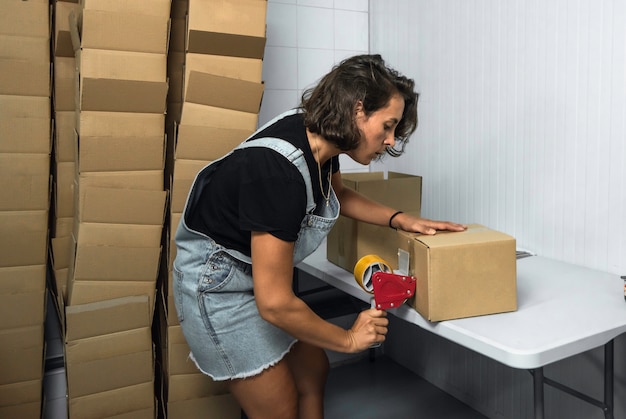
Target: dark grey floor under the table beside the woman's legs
x=384, y=389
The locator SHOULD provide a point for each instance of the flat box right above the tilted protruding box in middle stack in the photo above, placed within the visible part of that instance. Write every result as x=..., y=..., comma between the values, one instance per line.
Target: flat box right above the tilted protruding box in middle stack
x=87, y=292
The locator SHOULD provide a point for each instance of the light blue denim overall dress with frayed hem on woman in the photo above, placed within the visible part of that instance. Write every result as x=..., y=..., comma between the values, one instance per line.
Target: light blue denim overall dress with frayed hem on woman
x=213, y=289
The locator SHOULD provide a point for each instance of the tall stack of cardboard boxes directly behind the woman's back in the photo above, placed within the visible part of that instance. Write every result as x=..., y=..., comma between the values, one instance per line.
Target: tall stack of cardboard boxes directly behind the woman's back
x=215, y=70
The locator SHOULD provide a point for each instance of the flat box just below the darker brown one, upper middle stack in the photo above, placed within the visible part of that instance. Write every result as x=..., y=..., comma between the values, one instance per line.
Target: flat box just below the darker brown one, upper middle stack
x=119, y=124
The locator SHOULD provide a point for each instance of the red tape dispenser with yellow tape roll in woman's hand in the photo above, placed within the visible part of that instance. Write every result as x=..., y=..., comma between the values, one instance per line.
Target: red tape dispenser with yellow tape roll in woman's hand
x=376, y=277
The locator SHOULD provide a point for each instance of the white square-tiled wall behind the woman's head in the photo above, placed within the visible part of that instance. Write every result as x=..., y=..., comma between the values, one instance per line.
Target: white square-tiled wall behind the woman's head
x=305, y=38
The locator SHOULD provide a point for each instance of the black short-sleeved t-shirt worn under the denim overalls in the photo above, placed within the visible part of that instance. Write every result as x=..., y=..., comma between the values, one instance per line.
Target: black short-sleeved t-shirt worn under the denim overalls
x=257, y=189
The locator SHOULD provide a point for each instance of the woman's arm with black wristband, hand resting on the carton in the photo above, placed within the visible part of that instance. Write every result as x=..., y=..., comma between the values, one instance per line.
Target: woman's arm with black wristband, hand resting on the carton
x=359, y=207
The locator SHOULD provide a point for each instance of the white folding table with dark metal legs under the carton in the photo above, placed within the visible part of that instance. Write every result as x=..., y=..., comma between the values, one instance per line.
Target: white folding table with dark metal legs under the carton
x=563, y=310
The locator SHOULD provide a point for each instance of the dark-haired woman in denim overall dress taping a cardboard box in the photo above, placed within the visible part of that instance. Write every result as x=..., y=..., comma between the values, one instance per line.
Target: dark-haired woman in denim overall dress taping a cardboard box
x=251, y=216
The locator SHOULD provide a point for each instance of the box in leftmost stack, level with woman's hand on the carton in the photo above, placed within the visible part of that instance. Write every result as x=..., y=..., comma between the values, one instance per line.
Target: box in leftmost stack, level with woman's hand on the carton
x=24, y=238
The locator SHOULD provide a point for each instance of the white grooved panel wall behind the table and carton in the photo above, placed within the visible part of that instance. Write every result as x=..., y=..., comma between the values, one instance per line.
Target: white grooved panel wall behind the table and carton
x=522, y=128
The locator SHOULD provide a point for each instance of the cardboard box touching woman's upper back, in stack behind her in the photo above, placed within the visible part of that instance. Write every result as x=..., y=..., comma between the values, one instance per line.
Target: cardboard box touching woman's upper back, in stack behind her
x=207, y=143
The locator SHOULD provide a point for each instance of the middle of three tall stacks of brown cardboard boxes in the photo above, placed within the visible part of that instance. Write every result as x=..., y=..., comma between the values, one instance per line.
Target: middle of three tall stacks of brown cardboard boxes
x=119, y=88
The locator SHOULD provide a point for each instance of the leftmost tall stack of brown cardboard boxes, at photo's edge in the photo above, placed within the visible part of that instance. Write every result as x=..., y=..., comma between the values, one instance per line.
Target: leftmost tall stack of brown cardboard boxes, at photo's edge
x=25, y=147
